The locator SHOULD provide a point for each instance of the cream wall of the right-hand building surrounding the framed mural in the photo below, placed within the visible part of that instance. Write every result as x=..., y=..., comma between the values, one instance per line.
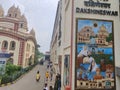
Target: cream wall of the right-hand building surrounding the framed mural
x=67, y=25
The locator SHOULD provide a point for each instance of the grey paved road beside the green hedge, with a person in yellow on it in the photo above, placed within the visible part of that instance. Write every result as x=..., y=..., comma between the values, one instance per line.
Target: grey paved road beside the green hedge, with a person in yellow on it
x=28, y=82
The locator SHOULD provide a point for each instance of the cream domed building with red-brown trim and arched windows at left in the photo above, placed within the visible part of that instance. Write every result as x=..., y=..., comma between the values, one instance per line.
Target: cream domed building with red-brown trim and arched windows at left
x=15, y=37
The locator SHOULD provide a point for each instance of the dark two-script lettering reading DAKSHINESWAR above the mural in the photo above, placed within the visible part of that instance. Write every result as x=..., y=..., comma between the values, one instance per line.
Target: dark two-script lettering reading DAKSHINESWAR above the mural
x=96, y=4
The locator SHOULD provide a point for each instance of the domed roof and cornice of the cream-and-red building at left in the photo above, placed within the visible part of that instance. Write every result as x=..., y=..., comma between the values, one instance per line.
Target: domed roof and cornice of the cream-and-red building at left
x=14, y=17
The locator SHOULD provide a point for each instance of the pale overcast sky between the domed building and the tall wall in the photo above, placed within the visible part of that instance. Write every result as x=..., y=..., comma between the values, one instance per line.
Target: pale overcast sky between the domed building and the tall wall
x=40, y=15
